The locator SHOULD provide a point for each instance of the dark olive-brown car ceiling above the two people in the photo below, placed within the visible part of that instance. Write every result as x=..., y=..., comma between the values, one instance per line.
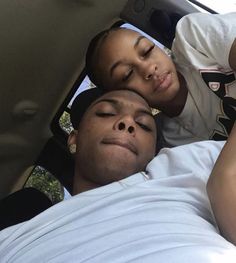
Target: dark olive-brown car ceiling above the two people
x=42, y=48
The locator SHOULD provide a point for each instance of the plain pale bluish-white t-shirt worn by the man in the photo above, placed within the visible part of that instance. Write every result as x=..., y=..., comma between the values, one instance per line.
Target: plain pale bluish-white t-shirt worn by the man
x=163, y=215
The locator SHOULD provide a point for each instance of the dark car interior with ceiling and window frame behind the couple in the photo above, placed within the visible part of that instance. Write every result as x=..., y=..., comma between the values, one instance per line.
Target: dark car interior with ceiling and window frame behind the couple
x=42, y=47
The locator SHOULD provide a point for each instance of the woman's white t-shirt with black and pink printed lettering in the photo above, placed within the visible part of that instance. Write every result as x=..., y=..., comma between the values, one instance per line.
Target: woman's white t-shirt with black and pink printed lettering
x=201, y=50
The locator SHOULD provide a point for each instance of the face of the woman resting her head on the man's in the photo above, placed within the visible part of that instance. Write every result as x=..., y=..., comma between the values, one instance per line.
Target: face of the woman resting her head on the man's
x=126, y=59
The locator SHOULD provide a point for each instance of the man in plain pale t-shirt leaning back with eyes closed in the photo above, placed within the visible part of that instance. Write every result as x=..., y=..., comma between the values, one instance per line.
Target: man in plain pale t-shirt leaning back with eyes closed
x=128, y=206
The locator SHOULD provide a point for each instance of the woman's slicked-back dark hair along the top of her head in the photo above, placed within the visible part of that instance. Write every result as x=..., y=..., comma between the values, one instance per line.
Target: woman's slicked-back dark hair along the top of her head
x=91, y=54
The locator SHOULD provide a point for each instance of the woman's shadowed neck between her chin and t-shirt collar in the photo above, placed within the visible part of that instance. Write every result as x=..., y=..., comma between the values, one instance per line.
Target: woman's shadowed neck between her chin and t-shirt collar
x=176, y=106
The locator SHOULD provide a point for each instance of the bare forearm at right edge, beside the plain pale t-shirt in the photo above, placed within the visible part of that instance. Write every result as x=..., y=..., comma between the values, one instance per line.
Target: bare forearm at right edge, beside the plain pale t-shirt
x=221, y=188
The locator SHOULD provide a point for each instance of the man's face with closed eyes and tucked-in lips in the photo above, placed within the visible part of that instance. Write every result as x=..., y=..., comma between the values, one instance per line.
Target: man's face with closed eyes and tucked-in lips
x=116, y=138
